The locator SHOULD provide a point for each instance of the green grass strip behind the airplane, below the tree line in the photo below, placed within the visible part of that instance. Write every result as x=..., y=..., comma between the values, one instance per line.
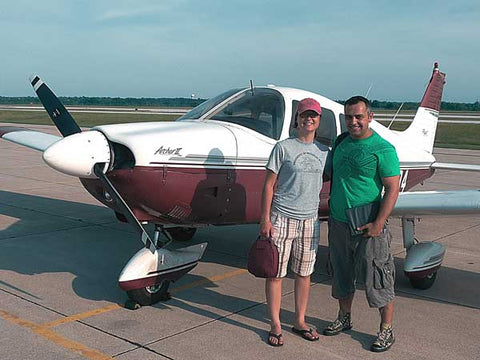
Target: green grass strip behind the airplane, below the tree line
x=462, y=136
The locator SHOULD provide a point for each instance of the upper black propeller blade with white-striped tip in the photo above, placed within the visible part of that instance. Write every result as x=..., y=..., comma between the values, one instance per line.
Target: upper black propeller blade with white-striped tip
x=55, y=109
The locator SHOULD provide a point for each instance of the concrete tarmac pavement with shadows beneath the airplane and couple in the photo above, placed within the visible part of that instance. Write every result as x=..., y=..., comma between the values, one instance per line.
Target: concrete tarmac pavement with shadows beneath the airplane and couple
x=61, y=253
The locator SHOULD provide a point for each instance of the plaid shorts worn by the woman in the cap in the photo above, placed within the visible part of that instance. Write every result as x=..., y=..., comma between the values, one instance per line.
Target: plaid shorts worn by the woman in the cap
x=298, y=237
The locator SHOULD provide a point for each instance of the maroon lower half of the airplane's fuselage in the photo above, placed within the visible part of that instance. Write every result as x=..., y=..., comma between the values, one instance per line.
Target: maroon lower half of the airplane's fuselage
x=189, y=195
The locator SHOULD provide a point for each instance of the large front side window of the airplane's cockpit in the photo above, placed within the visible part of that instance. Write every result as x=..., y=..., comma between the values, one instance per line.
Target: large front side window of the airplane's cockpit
x=262, y=111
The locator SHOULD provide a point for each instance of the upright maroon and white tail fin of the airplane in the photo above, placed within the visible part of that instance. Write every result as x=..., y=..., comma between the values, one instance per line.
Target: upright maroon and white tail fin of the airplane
x=424, y=125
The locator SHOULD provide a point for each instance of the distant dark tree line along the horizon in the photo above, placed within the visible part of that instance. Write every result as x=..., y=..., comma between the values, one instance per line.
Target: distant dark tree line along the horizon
x=190, y=103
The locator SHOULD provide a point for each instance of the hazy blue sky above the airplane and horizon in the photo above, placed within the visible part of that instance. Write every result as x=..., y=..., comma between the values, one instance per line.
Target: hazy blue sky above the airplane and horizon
x=176, y=48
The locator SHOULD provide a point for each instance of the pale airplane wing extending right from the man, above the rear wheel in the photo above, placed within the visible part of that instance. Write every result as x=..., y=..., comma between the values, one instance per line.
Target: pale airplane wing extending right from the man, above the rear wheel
x=456, y=202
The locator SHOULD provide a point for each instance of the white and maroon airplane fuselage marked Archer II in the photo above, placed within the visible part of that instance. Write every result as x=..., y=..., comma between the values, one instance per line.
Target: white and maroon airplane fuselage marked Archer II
x=207, y=171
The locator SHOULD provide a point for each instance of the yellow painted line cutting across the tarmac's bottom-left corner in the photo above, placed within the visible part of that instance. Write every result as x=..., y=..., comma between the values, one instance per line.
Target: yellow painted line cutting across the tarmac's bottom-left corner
x=52, y=336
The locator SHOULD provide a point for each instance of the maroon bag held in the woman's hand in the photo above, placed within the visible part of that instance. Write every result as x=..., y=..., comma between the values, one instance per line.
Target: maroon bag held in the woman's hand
x=263, y=258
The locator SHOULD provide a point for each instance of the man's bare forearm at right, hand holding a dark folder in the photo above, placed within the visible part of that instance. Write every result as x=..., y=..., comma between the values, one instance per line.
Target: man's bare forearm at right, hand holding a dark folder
x=392, y=188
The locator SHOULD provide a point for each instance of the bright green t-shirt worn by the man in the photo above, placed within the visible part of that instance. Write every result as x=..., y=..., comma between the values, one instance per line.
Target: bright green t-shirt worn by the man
x=358, y=166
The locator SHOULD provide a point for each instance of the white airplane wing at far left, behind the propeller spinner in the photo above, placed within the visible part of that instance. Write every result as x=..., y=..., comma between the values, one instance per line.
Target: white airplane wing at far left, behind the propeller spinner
x=30, y=138
